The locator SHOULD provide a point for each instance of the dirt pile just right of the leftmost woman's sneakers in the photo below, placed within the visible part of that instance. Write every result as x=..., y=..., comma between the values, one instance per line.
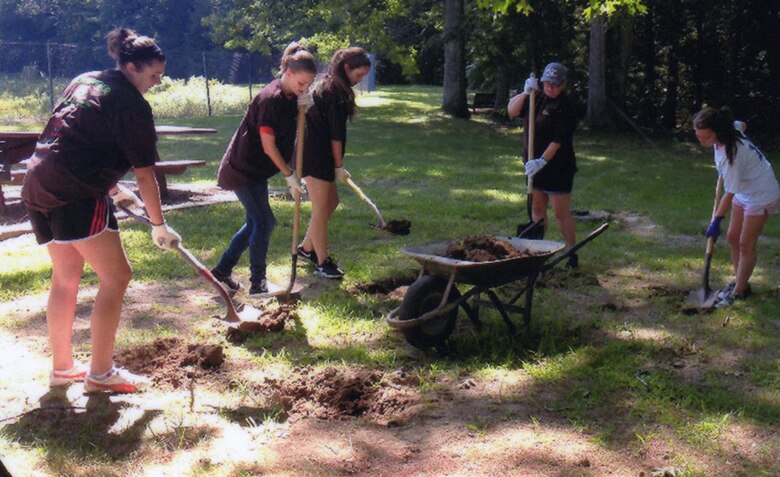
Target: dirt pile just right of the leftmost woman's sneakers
x=171, y=361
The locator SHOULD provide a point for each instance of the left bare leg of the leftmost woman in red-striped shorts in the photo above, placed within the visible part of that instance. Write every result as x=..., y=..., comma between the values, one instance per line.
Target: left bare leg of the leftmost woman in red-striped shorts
x=67, y=267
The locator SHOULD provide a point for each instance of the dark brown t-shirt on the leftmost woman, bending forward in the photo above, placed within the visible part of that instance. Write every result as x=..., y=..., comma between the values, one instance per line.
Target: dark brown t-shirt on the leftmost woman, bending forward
x=100, y=128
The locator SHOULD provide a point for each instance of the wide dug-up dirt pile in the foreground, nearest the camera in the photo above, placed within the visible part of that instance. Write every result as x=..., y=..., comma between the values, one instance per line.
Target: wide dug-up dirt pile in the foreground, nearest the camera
x=384, y=398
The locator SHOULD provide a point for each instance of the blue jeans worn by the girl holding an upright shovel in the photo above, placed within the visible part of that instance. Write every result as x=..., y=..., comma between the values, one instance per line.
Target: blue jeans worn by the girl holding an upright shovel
x=255, y=234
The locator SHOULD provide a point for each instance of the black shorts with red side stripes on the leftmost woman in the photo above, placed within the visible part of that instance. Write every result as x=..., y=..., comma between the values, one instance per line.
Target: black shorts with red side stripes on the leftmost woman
x=74, y=221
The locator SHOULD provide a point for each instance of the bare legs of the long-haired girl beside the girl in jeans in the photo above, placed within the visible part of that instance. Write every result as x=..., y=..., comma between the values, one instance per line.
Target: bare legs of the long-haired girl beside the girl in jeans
x=324, y=200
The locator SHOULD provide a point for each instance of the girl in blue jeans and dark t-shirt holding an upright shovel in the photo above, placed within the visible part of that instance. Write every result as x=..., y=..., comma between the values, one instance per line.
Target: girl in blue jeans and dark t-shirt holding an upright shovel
x=261, y=147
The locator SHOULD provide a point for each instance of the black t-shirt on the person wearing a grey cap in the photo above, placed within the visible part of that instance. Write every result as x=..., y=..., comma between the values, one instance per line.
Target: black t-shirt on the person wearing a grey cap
x=556, y=121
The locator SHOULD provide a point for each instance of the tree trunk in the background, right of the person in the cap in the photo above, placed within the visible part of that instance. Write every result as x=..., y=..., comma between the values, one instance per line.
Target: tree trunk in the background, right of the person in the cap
x=596, y=115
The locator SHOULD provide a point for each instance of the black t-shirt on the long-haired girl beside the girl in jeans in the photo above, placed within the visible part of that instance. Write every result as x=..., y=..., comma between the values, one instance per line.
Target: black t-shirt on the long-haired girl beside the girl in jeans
x=326, y=121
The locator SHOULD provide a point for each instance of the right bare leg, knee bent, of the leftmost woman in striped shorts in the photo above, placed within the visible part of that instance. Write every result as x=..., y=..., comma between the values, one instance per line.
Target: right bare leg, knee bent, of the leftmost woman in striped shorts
x=104, y=253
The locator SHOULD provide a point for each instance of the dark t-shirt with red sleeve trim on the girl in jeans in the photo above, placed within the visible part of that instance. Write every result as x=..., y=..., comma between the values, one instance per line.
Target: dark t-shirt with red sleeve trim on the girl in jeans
x=245, y=163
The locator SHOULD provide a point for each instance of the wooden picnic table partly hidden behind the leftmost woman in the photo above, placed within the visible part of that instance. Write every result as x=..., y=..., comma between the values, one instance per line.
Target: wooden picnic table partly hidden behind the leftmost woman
x=16, y=146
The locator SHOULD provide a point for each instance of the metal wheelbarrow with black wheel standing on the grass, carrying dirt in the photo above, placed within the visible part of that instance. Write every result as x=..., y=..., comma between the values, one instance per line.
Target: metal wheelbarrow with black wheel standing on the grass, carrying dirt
x=429, y=309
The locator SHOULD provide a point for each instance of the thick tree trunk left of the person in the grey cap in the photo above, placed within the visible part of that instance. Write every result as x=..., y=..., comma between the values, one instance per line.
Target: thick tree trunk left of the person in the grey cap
x=454, y=100
